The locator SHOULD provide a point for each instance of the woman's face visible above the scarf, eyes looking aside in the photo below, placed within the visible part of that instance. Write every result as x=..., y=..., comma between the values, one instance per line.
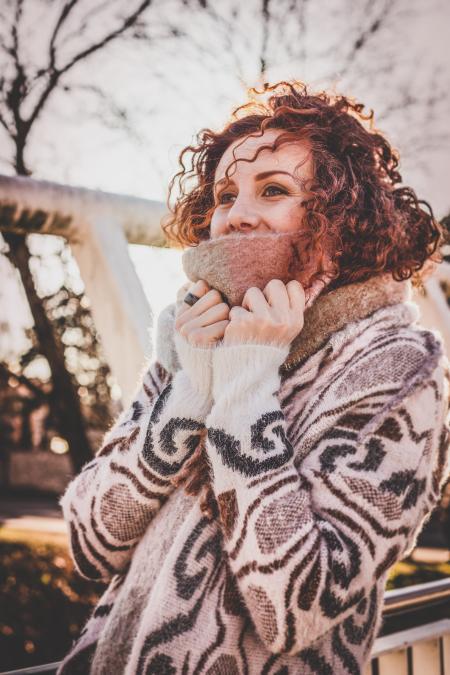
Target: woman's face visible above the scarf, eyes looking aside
x=265, y=194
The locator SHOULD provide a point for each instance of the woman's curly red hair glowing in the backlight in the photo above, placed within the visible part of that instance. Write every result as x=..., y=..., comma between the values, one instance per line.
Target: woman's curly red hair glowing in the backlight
x=376, y=224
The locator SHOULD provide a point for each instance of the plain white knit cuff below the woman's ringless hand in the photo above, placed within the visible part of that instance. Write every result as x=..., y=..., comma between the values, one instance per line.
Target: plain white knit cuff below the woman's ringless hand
x=241, y=370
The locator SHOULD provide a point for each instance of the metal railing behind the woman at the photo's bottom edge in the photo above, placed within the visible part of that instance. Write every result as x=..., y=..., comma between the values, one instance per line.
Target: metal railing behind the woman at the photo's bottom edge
x=409, y=644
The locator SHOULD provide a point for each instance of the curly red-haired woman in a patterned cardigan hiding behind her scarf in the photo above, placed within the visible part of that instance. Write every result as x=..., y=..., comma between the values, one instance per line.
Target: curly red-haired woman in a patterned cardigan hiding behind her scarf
x=296, y=399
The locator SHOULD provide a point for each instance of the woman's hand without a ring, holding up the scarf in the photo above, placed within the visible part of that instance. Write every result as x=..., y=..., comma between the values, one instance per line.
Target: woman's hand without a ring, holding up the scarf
x=271, y=316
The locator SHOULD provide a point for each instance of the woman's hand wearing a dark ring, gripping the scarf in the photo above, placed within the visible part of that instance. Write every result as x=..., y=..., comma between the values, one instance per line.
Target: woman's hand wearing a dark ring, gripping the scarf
x=203, y=323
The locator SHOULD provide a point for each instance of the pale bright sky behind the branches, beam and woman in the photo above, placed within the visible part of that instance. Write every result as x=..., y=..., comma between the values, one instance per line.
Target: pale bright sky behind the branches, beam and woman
x=174, y=88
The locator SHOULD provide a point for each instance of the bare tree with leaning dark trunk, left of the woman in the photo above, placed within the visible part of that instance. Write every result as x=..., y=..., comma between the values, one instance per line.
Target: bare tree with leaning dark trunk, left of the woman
x=72, y=33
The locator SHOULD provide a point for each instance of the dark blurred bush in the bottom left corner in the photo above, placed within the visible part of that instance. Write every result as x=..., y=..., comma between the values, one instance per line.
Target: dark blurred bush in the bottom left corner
x=44, y=603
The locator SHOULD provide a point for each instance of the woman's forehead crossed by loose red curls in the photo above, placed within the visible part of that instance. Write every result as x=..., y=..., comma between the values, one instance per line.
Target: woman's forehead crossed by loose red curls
x=287, y=157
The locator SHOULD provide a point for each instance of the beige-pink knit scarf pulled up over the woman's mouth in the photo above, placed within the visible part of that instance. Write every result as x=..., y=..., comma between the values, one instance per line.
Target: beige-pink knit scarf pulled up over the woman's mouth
x=233, y=263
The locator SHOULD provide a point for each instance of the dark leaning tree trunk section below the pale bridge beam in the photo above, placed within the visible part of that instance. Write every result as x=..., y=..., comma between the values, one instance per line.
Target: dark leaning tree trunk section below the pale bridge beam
x=64, y=398
